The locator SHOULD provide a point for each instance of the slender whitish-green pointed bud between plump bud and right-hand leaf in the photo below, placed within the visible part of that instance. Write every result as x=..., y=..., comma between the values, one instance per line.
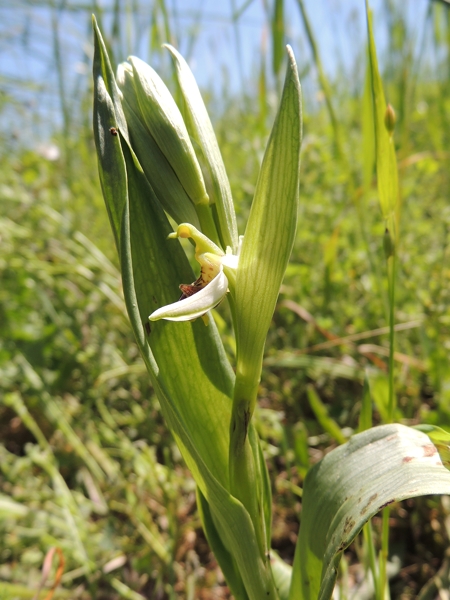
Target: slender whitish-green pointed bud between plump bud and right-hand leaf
x=200, y=128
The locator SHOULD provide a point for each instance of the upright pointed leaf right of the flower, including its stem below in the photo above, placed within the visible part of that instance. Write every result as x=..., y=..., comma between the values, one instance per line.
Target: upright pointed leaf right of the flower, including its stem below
x=265, y=252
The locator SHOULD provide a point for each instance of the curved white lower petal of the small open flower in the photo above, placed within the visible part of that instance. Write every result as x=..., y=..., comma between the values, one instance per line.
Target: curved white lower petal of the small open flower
x=197, y=304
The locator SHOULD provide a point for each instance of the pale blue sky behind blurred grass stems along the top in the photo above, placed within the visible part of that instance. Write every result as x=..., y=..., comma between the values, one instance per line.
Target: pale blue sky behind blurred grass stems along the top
x=223, y=56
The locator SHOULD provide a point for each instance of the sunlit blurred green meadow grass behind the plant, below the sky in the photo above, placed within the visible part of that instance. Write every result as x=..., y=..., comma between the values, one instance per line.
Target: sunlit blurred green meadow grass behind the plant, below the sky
x=74, y=394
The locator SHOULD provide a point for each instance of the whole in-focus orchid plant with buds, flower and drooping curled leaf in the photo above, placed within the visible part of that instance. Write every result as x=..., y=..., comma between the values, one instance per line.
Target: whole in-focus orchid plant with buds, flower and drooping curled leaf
x=159, y=166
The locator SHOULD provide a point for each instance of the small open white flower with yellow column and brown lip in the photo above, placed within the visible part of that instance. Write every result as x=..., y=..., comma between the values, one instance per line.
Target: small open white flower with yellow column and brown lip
x=210, y=288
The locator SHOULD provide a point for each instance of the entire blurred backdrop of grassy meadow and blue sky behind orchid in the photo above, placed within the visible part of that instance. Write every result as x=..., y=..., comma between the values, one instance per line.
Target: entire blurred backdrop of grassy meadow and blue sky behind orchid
x=86, y=463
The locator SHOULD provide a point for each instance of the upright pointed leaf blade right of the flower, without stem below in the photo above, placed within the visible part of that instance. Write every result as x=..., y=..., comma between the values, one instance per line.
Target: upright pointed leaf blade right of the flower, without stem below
x=268, y=238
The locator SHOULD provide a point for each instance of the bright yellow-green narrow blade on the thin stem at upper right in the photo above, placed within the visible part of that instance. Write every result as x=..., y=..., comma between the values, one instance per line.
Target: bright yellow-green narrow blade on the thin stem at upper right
x=387, y=175
